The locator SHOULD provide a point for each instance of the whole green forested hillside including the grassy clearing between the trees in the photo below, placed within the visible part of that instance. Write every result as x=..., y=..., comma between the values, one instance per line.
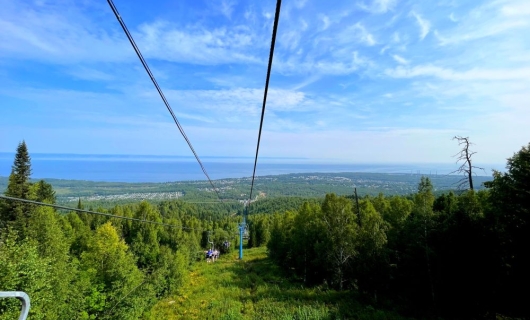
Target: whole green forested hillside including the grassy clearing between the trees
x=424, y=254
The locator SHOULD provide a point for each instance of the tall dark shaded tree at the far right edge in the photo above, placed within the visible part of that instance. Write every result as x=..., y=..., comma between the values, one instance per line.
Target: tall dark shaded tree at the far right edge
x=509, y=216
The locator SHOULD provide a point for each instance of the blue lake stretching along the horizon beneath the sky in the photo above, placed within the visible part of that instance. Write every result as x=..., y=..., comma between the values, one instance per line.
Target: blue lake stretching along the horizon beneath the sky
x=114, y=168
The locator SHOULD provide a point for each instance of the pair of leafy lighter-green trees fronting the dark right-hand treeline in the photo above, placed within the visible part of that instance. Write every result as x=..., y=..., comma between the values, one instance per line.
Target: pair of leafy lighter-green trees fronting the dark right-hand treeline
x=322, y=244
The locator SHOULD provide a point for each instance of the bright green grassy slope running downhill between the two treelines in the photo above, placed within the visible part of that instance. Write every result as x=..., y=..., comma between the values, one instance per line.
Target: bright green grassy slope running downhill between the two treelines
x=255, y=289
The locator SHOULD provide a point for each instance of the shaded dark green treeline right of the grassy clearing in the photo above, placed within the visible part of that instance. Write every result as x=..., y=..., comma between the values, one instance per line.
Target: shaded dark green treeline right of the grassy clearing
x=455, y=256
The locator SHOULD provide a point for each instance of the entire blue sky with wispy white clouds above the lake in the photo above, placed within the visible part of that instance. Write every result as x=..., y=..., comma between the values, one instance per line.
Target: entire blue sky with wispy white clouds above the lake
x=352, y=81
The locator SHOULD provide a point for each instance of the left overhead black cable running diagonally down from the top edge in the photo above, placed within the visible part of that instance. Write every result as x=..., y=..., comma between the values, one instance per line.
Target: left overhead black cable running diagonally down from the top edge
x=148, y=70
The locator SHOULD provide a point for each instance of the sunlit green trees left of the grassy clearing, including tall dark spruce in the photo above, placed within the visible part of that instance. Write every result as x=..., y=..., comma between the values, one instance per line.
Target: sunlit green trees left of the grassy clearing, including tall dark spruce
x=85, y=266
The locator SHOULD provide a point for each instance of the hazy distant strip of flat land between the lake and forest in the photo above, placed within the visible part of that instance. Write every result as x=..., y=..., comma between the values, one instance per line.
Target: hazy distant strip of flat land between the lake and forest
x=309, y=184
